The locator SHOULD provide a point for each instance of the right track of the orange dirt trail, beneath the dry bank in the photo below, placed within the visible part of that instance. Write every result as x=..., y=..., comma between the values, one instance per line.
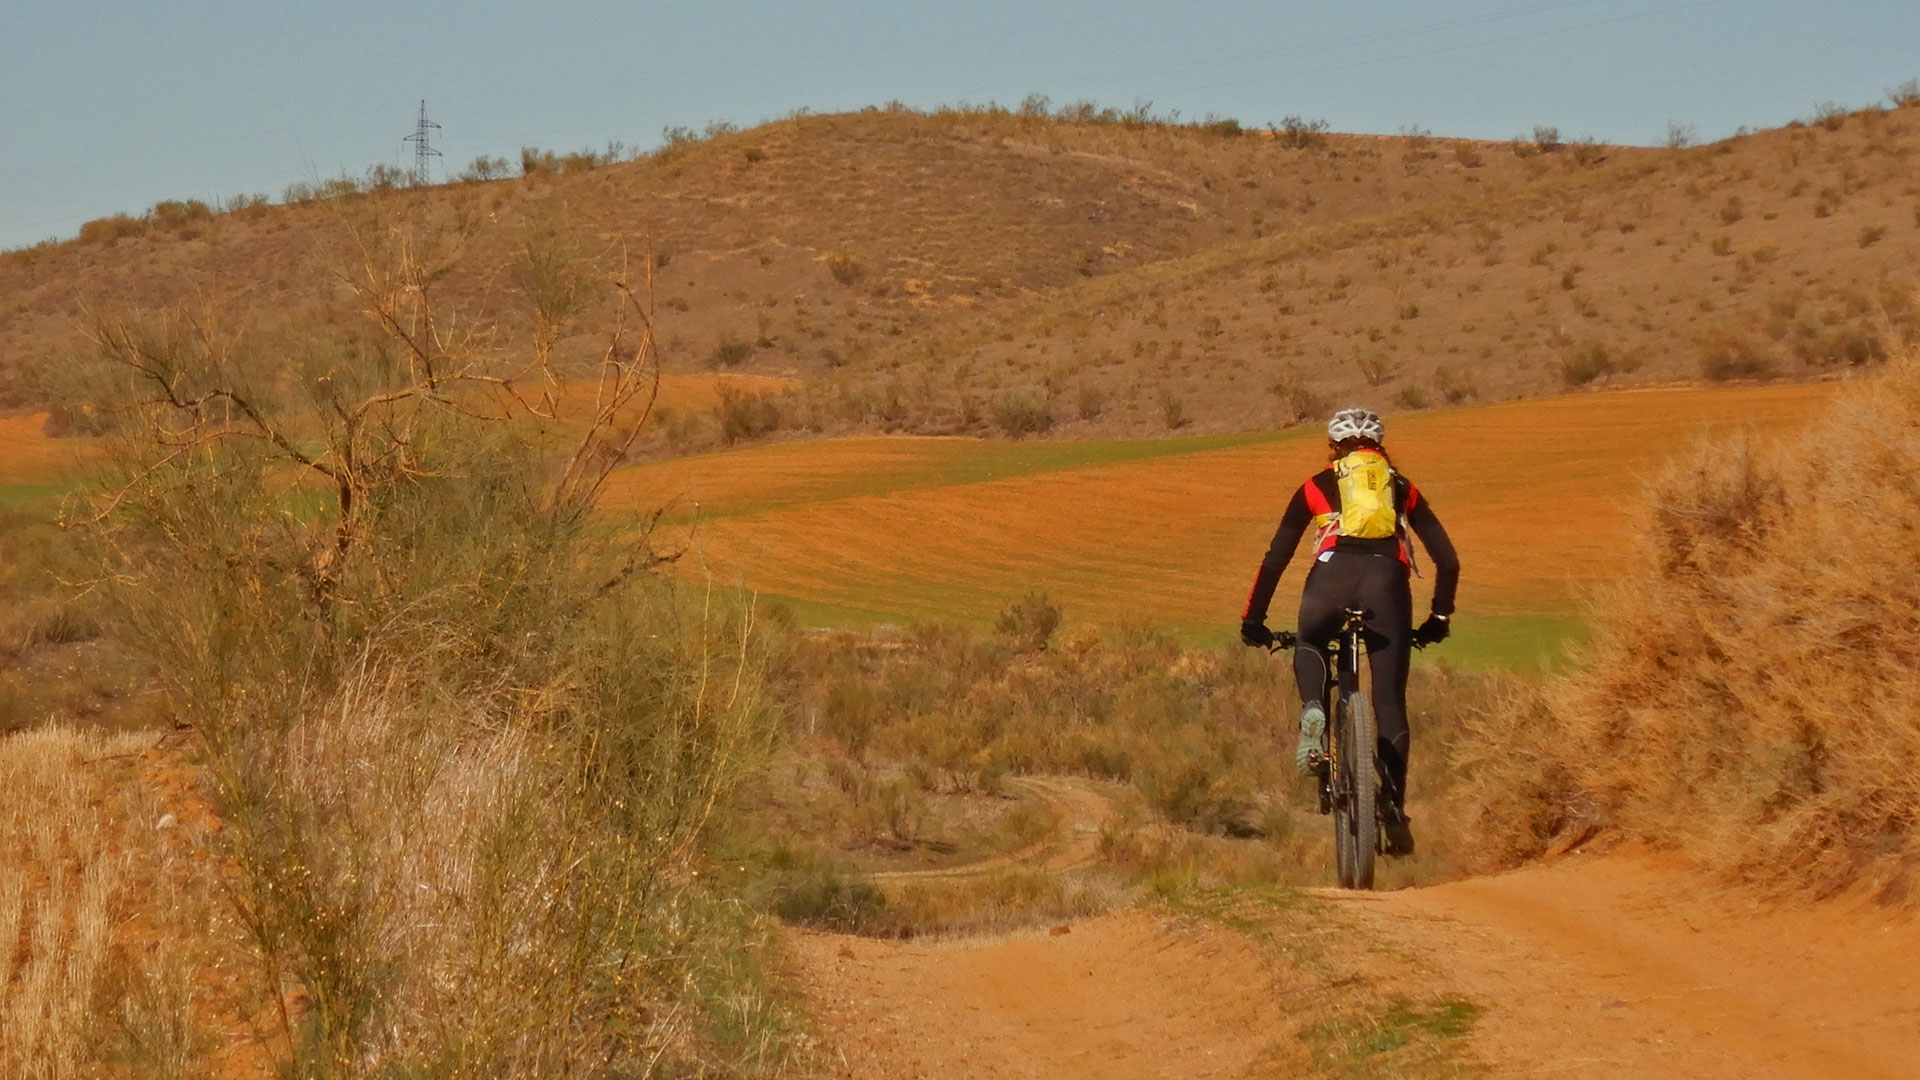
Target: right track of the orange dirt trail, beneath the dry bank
x=1625, y=966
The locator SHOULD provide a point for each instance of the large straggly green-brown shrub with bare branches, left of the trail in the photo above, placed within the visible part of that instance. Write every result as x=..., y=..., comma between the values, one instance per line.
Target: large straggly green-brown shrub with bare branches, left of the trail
x=468, y=743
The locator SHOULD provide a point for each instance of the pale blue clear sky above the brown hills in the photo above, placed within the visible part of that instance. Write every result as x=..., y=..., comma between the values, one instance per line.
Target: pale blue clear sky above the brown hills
x=110, y=107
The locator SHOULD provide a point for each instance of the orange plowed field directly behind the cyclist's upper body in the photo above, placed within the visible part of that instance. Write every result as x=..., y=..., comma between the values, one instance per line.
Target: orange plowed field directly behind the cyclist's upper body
x=1539, y=497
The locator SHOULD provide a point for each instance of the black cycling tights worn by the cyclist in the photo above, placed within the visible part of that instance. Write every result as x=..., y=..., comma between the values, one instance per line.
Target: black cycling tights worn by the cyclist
x=1380, y=587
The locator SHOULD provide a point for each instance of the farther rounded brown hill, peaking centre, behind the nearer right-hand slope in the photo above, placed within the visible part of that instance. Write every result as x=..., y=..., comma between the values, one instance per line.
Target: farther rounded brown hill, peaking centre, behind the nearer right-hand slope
x=827, y=237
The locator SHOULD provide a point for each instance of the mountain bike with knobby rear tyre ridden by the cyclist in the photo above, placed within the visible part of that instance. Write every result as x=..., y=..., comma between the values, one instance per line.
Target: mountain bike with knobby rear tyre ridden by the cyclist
x=1349, y=760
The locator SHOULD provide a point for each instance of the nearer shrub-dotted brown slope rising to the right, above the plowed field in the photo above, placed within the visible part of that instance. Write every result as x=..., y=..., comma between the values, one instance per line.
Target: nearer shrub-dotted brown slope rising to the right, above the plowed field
x=1783, y=255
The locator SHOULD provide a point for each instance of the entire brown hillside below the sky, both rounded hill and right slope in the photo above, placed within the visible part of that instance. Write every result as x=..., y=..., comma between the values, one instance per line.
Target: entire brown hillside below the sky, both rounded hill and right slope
x=976, y=272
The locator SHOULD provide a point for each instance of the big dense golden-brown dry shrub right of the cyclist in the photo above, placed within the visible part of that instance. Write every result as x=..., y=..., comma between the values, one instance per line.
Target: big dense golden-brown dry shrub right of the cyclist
x=1750, y=693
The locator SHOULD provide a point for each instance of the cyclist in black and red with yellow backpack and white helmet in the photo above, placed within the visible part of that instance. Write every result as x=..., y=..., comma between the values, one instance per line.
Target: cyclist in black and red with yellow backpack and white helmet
x=1362, y=512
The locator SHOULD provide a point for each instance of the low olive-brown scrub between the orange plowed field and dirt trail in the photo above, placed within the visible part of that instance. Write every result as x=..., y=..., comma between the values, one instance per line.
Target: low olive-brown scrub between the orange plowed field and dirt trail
x=1191, y=749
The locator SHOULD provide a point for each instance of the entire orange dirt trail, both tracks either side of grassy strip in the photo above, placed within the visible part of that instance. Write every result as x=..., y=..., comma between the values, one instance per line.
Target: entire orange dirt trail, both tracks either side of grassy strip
x=1595, y=966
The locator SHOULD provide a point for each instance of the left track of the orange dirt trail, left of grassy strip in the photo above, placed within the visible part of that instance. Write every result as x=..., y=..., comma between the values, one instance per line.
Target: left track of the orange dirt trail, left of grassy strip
x=1128, y=996
